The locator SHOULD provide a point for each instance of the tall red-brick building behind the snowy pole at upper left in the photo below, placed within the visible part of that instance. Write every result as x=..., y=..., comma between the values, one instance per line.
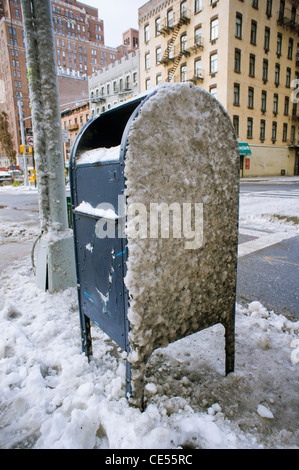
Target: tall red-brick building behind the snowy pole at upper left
x=80, y=51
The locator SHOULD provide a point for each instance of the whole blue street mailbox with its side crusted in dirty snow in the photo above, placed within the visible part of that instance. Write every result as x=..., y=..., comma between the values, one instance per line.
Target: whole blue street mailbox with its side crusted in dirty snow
x=170, y=269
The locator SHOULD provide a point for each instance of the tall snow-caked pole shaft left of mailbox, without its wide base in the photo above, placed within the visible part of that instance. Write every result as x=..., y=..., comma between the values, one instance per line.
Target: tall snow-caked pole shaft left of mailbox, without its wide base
x=45, y=113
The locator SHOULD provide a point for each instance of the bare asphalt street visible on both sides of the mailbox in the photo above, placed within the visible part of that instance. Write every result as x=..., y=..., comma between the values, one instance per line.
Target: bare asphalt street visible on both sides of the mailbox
x=269, y=275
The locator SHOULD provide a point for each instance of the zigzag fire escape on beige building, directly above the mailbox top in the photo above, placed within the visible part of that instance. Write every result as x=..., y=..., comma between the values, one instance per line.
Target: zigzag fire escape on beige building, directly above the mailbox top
x=174, y=54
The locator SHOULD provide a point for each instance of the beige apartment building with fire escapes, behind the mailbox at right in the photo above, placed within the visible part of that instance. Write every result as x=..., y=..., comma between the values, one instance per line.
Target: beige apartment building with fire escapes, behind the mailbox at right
x=244, y=52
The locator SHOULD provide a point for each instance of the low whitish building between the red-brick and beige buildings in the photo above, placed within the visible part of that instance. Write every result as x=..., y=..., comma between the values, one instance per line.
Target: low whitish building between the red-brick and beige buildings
x=116, y=83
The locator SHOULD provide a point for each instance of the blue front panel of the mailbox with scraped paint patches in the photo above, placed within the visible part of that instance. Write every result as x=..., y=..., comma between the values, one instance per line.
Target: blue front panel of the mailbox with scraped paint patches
x=100, y=259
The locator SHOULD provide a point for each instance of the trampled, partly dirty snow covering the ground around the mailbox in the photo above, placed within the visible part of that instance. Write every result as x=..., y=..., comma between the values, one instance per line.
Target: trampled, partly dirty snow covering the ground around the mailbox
x=51, y=397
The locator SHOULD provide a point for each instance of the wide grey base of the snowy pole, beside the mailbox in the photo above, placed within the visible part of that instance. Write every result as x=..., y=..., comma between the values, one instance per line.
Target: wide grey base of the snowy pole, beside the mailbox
x=55, y=263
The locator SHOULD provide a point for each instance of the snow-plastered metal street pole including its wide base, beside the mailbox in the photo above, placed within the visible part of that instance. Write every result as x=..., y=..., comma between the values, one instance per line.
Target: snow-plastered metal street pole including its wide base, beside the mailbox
x=55, y=266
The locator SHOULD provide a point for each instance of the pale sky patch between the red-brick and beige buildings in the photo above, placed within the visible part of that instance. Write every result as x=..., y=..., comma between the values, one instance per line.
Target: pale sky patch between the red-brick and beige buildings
x=118, y=16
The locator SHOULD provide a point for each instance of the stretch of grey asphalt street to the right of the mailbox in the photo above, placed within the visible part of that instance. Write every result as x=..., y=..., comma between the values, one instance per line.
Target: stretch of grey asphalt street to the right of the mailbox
x=270, y=275
